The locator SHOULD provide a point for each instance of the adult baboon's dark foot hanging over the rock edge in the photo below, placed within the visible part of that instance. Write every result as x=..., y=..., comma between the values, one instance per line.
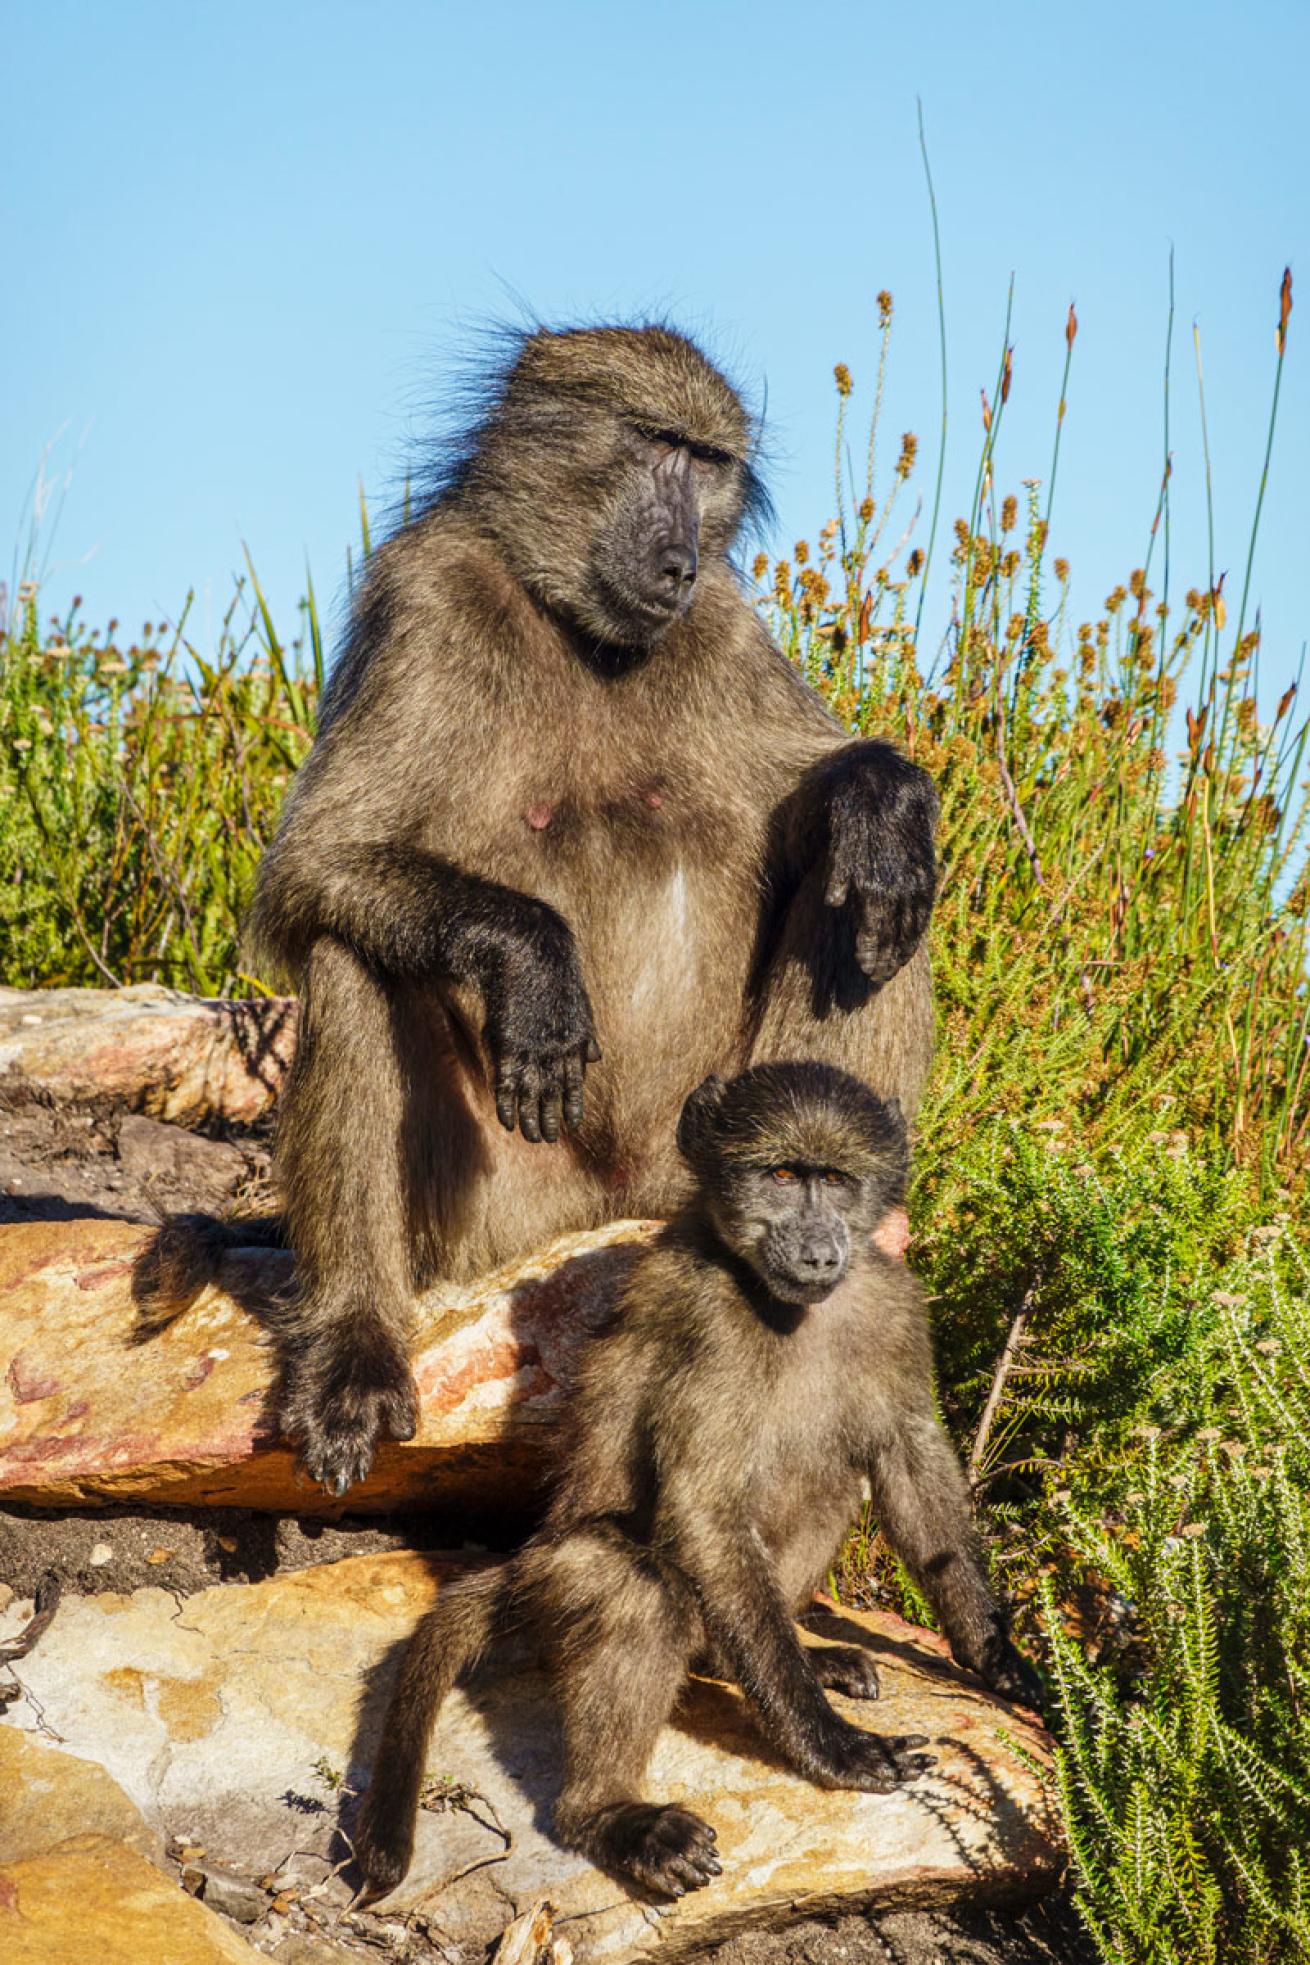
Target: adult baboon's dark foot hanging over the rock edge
x=341, y=1398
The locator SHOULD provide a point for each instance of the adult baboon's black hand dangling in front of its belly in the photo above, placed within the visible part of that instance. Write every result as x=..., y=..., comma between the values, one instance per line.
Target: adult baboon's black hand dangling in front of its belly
x=539, y=1029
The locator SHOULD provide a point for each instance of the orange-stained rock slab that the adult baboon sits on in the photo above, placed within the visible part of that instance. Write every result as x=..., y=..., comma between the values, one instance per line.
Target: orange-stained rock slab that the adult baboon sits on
x=188, y=1418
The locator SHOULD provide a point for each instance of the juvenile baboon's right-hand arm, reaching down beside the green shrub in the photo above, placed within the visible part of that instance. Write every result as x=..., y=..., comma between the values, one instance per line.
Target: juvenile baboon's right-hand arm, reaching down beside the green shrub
x=924, y=1512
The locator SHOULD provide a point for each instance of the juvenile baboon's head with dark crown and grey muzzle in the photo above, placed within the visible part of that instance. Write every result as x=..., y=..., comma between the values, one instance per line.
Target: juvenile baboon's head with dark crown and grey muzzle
x=798, y=1164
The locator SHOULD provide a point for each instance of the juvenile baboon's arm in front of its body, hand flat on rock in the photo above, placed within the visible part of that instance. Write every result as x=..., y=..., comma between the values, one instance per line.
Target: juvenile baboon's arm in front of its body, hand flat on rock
x=745, y=1616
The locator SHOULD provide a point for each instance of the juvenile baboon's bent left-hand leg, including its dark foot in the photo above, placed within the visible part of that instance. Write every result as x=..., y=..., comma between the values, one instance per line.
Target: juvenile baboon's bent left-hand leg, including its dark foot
x=629, y=1630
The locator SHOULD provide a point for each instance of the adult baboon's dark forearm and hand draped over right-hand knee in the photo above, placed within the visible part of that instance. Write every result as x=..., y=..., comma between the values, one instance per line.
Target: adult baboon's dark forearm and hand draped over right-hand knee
x=865, y=816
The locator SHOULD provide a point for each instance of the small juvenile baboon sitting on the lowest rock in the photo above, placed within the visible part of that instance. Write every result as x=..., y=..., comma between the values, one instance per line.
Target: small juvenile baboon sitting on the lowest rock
x=763, y=1363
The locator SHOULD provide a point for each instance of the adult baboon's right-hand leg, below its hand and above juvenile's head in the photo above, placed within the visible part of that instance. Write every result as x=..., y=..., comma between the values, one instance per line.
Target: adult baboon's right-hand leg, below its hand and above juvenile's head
x=812, y=1001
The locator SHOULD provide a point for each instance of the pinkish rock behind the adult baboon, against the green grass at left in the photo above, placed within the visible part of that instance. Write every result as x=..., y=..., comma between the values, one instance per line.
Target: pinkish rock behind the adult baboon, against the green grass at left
x=148, y=1050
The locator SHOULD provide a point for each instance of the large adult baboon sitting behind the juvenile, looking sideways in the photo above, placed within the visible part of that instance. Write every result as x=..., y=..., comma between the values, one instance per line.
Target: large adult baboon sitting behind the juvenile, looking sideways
x=567, y=795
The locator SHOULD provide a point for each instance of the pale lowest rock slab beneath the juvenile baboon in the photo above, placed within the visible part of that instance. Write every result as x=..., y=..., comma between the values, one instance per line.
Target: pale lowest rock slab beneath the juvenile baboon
x=239, y=1720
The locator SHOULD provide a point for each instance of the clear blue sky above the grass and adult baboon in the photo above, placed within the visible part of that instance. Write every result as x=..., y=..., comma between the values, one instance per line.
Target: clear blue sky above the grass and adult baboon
x=243, y=245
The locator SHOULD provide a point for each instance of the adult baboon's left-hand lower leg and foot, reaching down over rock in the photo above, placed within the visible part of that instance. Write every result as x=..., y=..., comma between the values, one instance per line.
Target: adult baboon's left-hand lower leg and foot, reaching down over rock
x=347, y=1378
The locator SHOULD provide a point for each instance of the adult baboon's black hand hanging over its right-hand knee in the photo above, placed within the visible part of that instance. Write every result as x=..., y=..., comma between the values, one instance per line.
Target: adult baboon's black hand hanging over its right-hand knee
x=881, y=854
